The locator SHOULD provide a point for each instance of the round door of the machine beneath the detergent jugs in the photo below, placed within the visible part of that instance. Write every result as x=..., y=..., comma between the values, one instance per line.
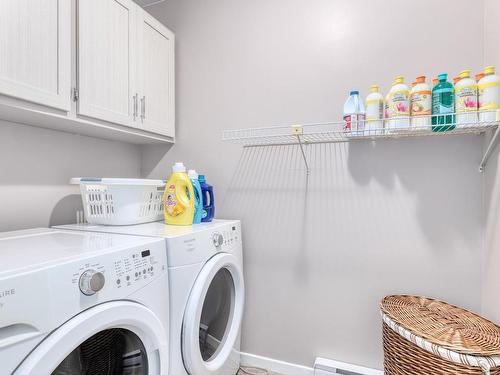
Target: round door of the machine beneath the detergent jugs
x=213, y=317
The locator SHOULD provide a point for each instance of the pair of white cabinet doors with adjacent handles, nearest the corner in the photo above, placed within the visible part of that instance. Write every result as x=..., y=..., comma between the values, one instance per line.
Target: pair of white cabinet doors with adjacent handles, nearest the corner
x=125, y=66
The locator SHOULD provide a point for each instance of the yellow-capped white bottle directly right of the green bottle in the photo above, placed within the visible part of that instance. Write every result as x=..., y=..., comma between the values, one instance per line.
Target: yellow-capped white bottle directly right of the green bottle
x=466, y=100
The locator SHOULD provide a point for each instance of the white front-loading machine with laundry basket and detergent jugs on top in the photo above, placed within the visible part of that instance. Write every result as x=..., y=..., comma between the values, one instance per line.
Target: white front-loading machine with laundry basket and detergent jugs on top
x=206, y=292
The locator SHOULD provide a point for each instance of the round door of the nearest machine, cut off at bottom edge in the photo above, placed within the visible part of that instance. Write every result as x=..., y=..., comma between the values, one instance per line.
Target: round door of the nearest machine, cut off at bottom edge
x=113, y=338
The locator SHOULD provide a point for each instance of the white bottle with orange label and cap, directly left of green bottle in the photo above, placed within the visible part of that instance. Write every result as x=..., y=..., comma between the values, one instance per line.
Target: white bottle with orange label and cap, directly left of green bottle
x=421, y=105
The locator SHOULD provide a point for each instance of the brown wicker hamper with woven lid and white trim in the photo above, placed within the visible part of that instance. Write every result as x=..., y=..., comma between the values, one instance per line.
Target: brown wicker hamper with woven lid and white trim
x=426, y=336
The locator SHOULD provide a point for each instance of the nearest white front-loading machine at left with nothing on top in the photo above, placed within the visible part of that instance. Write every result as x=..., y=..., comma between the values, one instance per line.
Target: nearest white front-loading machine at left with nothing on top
x=82, y=303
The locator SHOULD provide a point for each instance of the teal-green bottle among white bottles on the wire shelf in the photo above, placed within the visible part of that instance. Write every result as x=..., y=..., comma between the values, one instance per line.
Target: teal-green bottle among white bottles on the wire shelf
x=443, y=102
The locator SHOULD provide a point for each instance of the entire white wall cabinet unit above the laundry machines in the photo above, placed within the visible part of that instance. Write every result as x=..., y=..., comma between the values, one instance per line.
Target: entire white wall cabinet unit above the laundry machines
x=103, y=68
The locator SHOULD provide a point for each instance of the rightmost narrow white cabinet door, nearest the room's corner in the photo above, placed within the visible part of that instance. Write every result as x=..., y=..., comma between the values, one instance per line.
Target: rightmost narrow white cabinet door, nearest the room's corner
x=157, y=76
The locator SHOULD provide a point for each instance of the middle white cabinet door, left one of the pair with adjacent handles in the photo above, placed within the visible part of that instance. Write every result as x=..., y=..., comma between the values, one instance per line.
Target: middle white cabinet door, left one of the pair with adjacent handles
x=107, y=60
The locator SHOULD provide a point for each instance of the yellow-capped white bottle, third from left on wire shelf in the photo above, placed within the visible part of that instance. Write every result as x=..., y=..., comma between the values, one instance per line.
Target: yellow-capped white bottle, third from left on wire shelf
x=397, y=107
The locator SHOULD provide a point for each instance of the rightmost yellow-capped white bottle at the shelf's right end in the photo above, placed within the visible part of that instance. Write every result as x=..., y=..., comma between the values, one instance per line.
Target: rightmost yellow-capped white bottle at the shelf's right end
x=489, y=95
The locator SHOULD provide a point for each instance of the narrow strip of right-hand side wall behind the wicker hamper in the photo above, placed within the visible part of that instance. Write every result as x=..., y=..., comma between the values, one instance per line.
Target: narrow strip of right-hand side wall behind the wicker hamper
x=491, y=263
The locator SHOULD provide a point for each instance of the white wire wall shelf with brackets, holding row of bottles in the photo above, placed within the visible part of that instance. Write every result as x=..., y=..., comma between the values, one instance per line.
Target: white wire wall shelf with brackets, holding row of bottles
x=394, y=128
